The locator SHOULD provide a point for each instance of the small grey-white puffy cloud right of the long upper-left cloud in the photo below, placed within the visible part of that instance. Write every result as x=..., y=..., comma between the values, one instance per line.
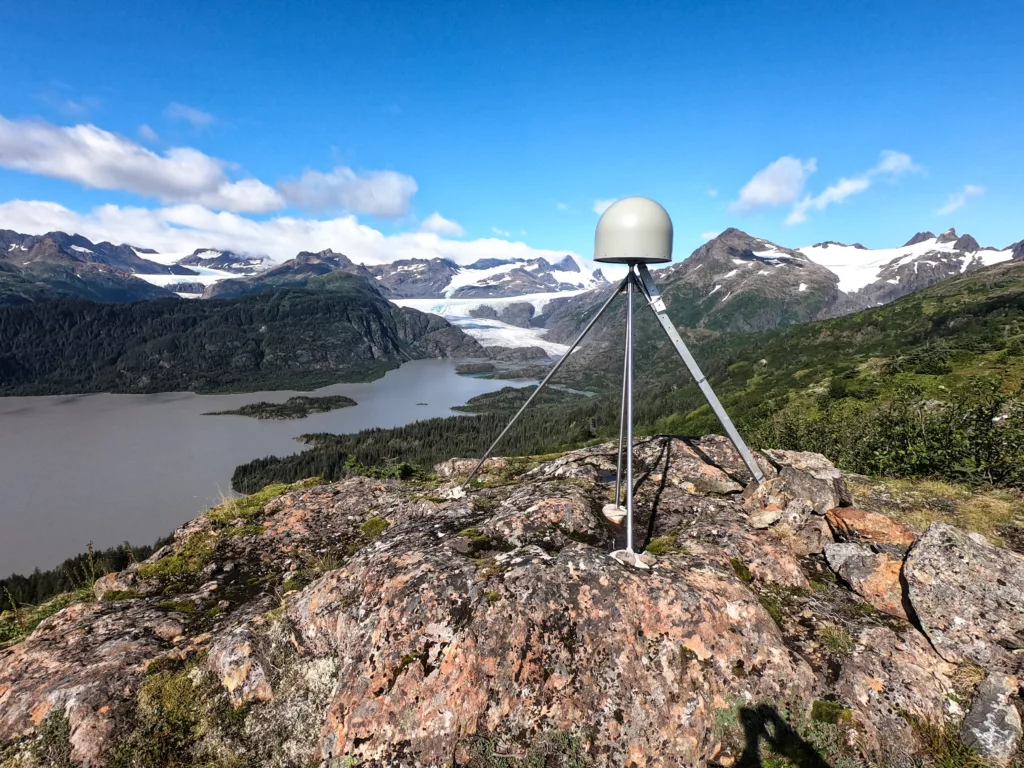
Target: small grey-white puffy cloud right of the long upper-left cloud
x=387, y=194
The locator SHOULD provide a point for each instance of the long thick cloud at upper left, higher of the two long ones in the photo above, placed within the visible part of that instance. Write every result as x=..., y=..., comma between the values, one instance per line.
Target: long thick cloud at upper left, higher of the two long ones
x=99, y=159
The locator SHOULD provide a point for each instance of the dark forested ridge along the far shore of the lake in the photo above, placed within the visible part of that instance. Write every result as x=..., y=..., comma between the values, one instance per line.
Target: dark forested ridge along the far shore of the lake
x=279, y=338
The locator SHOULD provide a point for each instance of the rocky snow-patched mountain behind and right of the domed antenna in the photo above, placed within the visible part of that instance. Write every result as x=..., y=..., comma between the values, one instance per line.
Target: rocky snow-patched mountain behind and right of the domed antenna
x=738, y=283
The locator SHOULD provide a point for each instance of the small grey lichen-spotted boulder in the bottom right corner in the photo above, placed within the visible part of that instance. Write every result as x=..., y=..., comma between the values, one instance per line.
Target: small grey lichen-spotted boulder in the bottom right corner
x=994, y=726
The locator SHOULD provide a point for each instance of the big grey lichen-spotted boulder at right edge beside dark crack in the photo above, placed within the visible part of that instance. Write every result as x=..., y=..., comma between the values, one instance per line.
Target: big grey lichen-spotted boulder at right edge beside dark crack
x=969, y=598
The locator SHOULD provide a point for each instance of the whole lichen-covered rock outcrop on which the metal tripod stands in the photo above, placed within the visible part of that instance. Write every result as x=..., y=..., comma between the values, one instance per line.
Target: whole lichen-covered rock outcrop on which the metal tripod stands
x=422, y=624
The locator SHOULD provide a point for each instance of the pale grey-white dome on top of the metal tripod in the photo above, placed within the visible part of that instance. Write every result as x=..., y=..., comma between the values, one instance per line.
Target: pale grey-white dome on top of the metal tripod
x=634, y=231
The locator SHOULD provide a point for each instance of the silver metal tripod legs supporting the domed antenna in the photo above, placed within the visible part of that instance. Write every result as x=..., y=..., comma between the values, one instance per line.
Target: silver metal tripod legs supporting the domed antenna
x=638, y=279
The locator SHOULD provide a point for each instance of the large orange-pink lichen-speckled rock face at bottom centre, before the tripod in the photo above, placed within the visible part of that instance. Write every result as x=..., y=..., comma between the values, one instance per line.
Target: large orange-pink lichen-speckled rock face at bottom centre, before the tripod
x=439, y=650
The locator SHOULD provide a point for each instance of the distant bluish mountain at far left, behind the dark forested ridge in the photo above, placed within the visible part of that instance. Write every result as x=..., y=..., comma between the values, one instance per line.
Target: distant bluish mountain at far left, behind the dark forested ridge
x=44, y=269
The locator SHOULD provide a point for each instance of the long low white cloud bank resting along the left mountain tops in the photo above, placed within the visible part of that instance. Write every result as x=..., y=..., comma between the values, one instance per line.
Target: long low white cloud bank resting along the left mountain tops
x=186, y=228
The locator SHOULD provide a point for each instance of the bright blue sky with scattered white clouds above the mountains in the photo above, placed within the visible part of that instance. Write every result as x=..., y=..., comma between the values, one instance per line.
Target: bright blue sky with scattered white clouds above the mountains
x=391, y=131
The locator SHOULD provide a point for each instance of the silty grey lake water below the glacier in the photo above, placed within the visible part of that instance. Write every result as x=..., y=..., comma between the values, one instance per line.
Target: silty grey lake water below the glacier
x=110, y=468
